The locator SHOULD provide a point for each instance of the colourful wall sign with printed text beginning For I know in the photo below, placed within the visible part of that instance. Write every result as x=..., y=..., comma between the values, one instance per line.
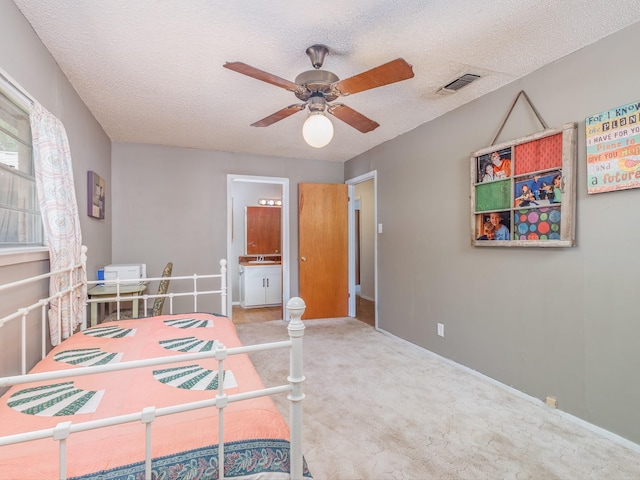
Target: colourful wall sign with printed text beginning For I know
x=613, y=149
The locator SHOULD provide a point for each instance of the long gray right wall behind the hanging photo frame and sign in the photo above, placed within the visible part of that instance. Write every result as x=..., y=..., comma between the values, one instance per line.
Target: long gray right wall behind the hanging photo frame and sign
x=559, y=322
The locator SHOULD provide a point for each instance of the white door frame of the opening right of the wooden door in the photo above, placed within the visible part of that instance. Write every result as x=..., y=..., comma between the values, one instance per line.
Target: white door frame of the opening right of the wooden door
x=372, y=175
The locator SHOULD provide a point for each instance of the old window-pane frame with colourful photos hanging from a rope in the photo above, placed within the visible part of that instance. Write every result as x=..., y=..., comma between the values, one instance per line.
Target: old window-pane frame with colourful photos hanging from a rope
x=523, y=191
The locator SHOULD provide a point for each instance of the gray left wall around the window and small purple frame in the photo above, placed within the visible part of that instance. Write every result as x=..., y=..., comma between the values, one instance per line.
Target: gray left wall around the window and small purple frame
x=27, y=62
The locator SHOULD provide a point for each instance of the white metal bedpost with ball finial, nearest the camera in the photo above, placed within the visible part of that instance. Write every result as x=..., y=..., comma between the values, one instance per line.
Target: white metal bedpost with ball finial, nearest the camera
x=296, y=307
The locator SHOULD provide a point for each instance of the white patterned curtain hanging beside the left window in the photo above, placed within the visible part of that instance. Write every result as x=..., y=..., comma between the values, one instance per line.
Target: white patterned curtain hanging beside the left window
x=59, y=209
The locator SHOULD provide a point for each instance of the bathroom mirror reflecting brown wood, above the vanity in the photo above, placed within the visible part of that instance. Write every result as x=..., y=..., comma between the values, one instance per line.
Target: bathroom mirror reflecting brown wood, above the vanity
x=262, y=230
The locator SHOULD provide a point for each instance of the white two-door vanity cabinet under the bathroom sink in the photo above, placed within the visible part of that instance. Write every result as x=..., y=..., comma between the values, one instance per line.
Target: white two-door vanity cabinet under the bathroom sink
x=261, y=285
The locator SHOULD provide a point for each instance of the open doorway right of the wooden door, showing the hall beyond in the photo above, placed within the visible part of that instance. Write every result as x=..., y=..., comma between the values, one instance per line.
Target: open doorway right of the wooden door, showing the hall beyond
x=363, y=248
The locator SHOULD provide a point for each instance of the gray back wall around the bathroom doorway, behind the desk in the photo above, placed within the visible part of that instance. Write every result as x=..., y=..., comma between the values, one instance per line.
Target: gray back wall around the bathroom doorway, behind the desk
x=171, y=202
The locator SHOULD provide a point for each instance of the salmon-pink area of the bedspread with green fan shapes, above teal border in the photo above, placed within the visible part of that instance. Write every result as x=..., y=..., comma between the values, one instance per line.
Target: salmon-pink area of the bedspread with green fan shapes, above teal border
x=24, y=409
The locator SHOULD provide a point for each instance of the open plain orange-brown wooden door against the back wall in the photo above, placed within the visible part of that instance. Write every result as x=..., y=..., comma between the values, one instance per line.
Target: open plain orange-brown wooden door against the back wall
x=323, y=242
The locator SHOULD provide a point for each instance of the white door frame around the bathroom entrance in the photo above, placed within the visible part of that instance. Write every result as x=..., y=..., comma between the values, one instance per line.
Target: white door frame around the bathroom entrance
x=284, y=183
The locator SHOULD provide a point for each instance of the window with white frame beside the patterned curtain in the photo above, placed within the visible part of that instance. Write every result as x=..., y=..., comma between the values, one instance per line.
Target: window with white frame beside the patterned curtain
x=20, y=220
